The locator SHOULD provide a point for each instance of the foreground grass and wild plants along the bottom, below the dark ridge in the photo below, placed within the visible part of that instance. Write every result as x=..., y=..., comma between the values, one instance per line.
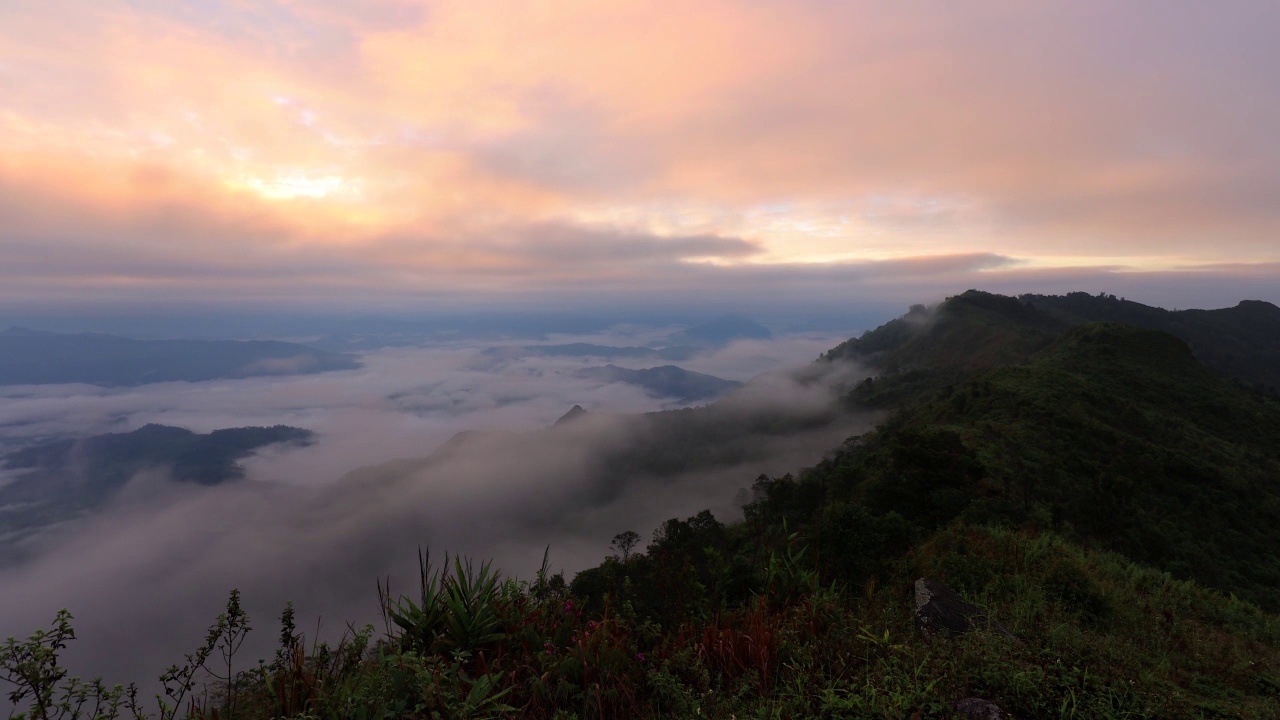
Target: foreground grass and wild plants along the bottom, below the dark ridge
x=1096, y=636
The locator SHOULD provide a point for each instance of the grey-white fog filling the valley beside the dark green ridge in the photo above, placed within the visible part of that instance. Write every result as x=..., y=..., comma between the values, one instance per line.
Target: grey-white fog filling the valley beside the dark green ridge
x=145, y=576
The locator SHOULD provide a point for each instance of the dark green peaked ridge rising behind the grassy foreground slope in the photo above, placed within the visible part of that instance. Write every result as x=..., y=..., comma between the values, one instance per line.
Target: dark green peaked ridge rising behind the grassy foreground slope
x=1109, y=434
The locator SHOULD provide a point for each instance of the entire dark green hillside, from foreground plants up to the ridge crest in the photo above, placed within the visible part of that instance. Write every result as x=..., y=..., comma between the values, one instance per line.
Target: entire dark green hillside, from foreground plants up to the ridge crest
x=1091, y=487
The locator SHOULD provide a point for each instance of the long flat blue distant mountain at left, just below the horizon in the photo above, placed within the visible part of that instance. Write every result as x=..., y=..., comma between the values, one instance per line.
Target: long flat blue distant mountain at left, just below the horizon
x=42, y=358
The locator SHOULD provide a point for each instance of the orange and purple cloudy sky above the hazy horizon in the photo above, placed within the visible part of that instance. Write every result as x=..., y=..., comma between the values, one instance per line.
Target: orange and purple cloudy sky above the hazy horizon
x=405, y=154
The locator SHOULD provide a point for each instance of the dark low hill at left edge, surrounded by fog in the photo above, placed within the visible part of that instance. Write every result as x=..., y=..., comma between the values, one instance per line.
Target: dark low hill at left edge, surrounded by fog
x=58, y=480
